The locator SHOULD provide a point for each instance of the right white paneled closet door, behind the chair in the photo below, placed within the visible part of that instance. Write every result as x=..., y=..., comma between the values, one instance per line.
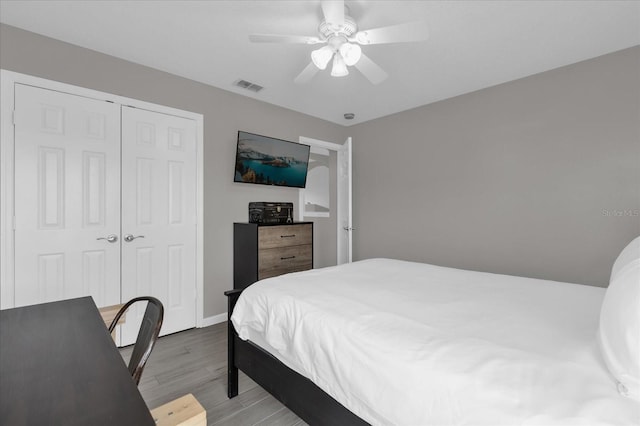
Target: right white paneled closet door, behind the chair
x=159, y=210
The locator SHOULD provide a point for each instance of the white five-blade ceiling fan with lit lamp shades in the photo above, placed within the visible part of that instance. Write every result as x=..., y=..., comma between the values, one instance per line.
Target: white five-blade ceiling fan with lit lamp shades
x=342, y=40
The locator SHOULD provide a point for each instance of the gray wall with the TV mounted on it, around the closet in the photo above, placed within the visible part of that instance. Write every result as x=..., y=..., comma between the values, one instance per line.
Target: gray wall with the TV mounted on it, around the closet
x=224, y=113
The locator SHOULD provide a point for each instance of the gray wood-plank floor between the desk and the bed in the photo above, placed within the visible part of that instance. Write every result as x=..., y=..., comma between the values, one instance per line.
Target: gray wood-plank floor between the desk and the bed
x=195, y=361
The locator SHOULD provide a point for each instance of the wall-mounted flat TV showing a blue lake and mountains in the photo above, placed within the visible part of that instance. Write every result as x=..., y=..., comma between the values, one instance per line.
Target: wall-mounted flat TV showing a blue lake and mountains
x=269, y=161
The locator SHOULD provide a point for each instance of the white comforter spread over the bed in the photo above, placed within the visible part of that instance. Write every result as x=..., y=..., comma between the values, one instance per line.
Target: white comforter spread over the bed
x=406, y=343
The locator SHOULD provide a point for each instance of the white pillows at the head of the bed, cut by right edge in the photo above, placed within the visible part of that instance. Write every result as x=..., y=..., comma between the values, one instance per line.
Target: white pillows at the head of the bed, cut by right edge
x=619, y=334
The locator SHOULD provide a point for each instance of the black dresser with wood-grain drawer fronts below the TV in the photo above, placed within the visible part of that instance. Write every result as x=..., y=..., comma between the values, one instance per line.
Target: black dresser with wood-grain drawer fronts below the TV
x=263, y=251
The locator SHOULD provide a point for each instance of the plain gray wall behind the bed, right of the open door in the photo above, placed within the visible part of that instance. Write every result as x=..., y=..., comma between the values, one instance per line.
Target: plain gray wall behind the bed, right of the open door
x=537, y=177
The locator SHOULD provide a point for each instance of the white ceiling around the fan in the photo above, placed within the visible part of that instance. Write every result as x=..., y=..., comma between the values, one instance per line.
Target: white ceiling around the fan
x=472, y=44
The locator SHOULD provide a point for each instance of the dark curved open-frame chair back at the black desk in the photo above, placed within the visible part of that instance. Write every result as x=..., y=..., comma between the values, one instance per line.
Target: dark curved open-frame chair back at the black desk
x=147, y=335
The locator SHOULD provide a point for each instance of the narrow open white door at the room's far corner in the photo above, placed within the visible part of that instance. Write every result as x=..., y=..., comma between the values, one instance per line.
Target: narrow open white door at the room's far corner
x=345, y=216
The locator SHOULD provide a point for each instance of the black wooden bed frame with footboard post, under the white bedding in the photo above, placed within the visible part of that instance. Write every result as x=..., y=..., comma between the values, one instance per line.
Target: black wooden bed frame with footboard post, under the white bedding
x=295, y=391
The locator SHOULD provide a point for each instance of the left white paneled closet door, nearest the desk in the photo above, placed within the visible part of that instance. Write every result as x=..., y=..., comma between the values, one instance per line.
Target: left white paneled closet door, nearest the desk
x=67, y=197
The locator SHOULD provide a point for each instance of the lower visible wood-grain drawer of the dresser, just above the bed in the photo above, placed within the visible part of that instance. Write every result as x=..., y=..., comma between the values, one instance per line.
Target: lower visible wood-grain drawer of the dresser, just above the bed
x=278, y=261
